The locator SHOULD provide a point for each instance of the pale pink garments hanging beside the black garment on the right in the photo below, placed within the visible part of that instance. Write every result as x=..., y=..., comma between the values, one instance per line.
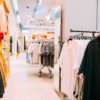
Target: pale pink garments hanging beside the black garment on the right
x=69, y=61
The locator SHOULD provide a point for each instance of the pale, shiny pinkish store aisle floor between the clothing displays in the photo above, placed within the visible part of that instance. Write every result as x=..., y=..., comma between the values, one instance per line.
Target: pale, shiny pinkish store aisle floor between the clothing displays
x=24, y=84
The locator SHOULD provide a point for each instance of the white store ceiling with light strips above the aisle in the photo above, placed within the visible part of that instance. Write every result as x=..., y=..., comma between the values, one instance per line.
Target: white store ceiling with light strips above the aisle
x=34, y=13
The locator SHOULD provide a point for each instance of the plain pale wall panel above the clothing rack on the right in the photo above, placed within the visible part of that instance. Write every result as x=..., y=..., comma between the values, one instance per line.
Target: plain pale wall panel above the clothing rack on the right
x=80, y=15
